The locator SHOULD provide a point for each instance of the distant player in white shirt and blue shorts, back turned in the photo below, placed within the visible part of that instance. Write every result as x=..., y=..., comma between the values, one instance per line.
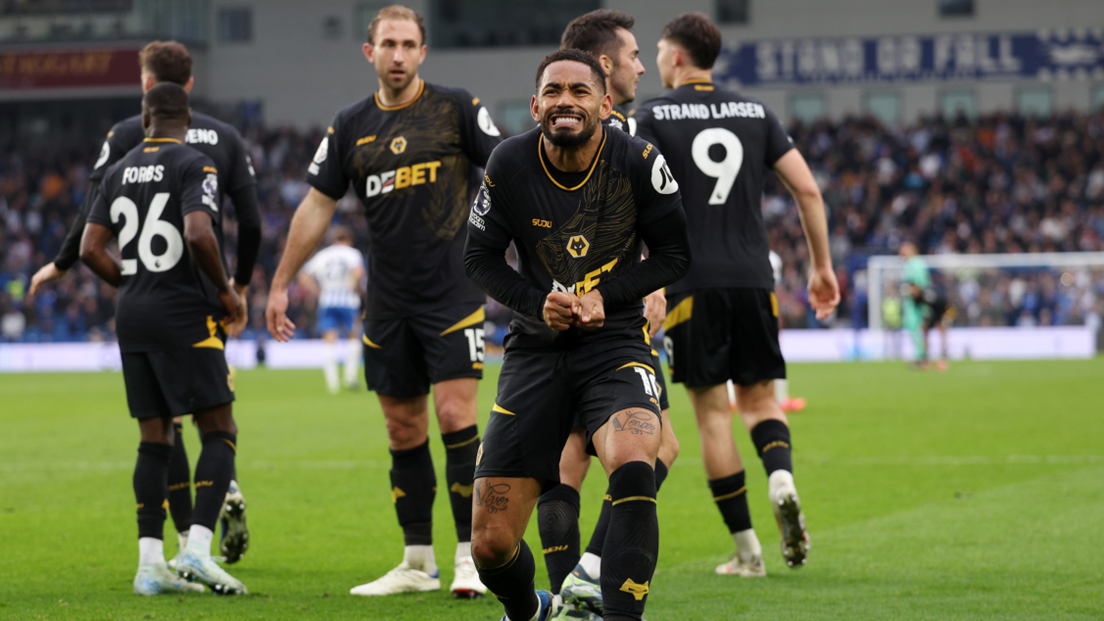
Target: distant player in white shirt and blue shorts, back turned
x=334, y=278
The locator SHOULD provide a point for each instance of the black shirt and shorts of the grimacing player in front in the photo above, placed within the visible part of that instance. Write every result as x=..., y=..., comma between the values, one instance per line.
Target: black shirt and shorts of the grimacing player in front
x=574, y=233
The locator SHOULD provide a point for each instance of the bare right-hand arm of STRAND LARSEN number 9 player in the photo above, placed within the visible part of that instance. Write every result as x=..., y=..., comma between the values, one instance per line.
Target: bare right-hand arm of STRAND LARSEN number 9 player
x=824, y=290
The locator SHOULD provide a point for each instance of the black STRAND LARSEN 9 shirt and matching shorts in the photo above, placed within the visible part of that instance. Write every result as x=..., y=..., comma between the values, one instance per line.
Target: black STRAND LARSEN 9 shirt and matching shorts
x=723, y=320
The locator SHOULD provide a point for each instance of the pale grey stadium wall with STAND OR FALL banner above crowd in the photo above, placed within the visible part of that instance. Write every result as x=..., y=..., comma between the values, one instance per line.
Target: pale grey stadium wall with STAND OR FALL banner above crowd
x=803, y=58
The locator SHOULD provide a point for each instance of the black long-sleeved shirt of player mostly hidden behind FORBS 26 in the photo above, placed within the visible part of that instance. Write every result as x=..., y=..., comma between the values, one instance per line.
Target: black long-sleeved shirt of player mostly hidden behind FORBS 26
x=236, y=180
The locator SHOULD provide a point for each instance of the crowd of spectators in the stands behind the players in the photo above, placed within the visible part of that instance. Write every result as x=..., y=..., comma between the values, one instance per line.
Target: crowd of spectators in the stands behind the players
x=1001, y=184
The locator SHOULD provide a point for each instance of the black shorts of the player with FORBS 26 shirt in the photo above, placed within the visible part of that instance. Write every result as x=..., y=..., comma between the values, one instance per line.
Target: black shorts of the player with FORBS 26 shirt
x=177, y=382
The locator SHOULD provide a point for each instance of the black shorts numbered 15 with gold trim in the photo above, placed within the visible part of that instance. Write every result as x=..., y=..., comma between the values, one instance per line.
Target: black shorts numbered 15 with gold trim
x=405, y=356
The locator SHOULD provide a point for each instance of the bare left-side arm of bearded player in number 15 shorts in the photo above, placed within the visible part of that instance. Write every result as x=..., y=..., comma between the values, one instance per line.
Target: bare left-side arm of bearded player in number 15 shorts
x=309, y=226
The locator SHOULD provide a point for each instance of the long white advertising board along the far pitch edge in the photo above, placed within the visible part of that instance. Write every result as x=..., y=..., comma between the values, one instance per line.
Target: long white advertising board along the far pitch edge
x=798, y=346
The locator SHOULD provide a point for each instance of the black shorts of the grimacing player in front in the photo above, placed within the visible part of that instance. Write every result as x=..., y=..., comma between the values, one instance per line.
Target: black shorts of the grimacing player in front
x=543, y=390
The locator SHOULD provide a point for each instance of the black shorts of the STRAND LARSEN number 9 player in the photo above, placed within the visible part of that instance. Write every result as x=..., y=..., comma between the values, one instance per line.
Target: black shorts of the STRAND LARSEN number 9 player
x=715, y=335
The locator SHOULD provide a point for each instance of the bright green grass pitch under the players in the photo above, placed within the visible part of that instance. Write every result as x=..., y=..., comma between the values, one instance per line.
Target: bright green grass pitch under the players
x=972, y=494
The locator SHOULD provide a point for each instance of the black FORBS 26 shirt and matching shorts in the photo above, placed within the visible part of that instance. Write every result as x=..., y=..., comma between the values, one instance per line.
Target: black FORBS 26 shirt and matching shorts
x=169, y=317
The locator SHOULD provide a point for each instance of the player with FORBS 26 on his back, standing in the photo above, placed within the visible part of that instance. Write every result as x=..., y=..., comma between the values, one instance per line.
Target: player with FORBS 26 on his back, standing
x=161, y=201
